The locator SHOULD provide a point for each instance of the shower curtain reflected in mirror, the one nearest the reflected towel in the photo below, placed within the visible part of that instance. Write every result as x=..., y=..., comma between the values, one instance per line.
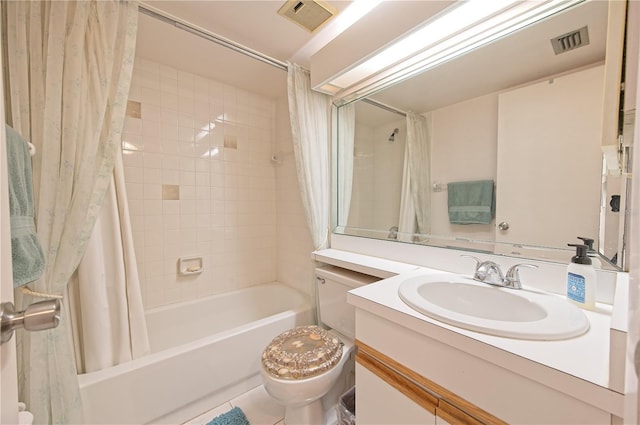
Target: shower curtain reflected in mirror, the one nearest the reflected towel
x=418, y=146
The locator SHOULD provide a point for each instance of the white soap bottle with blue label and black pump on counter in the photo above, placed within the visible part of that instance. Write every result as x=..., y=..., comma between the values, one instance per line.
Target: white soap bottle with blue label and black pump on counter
x=581, y=279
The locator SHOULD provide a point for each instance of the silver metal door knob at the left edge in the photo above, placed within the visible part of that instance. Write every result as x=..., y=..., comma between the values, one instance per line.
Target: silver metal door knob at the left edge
x=37, y=317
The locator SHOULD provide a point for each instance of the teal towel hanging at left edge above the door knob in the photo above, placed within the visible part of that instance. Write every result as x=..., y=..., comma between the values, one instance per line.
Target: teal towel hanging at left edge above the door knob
x=26, y=252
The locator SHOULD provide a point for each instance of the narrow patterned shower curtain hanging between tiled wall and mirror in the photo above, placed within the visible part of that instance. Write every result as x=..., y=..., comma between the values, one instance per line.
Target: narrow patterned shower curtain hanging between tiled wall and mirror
x=309, y=115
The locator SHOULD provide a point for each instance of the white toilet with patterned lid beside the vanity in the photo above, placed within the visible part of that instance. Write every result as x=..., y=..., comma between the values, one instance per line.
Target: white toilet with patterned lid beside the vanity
x=307, y=368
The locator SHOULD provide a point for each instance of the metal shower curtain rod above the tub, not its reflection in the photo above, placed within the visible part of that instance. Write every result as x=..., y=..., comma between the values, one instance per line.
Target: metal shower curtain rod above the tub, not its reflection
x=202, y=33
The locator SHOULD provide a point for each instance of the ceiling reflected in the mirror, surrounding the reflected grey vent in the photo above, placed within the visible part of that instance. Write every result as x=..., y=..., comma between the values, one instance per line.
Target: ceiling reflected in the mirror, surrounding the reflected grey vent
x=516, y=59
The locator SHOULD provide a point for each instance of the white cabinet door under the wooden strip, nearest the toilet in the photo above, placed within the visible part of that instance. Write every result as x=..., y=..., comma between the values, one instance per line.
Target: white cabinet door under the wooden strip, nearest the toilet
x=384, y=404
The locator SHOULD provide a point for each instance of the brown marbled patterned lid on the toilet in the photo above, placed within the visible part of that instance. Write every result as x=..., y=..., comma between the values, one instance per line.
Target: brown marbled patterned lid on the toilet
x=301, y=352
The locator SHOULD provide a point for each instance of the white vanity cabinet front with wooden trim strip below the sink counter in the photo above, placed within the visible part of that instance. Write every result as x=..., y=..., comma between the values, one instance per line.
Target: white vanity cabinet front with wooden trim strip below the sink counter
x=403, y=372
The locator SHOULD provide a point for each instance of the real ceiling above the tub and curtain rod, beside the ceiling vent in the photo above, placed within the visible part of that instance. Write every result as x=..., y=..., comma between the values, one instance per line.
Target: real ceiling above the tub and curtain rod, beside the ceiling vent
x=255, y=24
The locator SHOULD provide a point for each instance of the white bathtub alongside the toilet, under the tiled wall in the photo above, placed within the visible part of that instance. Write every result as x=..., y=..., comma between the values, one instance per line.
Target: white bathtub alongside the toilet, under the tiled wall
x=203, y=353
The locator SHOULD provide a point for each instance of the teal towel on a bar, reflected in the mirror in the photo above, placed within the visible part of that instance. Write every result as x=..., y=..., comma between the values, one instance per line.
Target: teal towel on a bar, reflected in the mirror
x=471, y=202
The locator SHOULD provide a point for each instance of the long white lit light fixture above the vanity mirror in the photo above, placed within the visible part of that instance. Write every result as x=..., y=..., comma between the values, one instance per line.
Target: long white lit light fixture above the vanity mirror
x=454, y=32
